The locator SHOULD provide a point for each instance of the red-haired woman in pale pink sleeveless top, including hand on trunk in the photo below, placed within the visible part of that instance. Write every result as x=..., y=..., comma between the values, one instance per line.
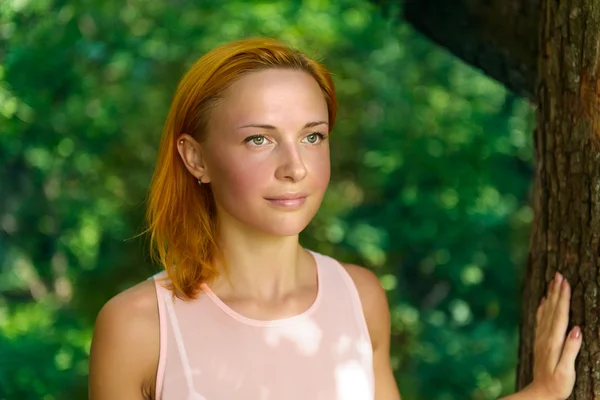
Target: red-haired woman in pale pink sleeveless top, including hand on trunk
x=242, y=311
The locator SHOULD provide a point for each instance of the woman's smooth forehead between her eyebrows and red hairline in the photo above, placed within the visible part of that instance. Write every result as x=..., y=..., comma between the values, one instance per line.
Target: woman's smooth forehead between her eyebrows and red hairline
x=273, y=96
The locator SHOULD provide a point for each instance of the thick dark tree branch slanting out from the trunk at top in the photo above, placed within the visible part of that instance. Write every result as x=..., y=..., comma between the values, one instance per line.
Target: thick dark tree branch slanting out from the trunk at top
x=497, y=36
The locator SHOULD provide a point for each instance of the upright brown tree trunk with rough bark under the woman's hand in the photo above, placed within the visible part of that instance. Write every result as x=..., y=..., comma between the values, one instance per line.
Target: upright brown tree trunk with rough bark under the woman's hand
x=566, y=228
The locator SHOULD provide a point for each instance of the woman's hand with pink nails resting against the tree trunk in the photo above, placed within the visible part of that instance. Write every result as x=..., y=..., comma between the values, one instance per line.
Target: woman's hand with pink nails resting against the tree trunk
x=554, y=351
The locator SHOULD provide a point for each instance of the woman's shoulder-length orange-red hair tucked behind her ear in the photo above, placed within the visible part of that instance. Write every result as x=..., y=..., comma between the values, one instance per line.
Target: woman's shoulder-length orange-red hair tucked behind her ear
x=181, y=213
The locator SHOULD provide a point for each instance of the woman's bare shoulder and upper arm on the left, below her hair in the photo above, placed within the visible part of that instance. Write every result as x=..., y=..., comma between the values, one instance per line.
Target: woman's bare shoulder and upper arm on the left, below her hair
x=125, y=345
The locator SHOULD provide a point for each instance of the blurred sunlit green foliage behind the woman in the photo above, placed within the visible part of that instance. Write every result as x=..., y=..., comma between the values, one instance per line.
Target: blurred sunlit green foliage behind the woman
x=432, y=166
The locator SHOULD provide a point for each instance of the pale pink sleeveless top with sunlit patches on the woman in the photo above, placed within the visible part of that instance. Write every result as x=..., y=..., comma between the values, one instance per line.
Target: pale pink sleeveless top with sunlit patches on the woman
x=208, y=351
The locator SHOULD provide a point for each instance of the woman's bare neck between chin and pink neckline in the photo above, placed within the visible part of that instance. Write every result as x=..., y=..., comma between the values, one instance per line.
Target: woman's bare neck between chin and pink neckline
x=256, y=265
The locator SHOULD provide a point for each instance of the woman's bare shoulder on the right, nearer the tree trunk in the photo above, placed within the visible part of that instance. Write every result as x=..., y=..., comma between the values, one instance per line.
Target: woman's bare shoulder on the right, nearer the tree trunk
x=374, y=301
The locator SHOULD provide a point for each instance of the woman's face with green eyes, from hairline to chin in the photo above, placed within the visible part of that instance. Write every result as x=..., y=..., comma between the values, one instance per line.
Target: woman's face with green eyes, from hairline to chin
x=266, y=154
